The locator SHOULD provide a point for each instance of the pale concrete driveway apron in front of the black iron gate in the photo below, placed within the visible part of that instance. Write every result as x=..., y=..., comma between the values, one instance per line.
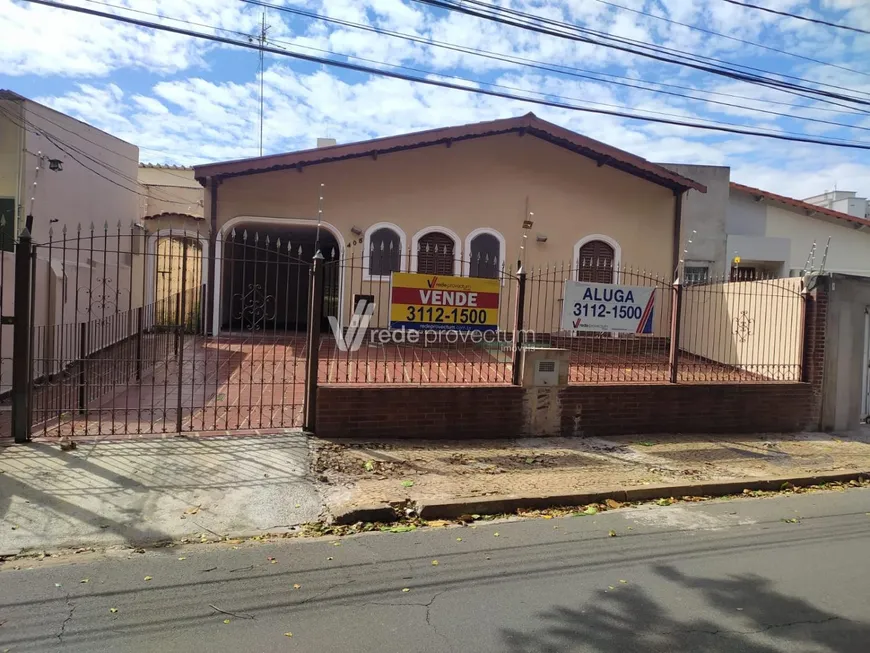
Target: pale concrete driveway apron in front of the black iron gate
x=149, y=490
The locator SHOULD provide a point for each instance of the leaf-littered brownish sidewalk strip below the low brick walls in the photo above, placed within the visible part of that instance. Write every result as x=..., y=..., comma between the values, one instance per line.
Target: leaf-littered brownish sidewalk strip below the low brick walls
x=369, y=474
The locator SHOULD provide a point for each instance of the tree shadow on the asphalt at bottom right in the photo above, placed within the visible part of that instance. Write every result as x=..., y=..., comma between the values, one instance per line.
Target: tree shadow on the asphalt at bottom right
x=743, y=613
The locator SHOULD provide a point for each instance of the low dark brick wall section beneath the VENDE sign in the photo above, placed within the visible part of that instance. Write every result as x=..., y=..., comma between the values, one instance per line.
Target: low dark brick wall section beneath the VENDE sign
x=419, y=411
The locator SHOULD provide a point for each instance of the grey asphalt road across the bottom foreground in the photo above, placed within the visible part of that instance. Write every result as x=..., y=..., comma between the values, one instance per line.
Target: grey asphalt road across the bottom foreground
x=713, y=577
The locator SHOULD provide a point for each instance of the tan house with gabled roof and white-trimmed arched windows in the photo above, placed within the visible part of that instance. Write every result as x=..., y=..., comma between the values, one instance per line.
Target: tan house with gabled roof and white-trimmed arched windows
x=469, y=200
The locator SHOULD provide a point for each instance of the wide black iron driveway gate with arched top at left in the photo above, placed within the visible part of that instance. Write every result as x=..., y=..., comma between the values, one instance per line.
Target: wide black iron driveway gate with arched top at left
x=126, y=337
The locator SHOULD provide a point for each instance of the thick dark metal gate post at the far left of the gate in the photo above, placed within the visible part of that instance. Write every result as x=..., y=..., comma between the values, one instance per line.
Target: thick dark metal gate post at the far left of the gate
x=22, y=360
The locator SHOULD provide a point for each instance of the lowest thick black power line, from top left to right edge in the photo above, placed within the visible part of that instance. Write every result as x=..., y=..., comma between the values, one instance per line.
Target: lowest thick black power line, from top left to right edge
x=433, y=82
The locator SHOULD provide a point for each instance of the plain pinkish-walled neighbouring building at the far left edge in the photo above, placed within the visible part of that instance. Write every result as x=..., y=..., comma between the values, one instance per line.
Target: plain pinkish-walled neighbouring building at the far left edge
x=75, y=187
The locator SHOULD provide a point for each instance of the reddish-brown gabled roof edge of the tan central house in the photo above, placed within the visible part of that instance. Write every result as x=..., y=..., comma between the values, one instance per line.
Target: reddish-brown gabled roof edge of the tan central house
x=527, y=124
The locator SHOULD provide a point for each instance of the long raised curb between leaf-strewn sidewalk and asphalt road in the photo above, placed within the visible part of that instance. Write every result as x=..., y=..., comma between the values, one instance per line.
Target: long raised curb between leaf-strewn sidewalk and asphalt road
x=507, y=504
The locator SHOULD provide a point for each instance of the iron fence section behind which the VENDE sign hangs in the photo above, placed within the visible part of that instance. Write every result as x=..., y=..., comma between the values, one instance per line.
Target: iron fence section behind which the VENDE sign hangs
x=446, y=348
